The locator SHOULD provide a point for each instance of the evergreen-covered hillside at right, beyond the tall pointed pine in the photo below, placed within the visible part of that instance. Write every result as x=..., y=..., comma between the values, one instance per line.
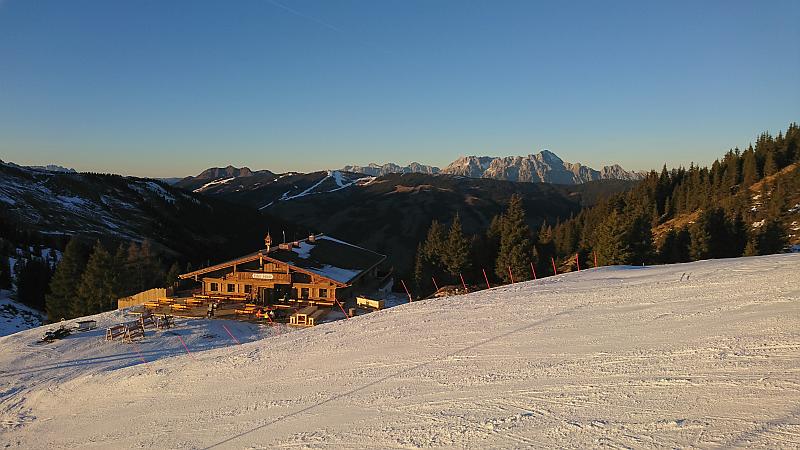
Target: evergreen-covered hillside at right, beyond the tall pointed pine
x=695, y=213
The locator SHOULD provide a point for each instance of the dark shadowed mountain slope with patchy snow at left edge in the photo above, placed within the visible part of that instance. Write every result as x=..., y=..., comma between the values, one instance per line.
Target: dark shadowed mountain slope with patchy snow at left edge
x=56, y=203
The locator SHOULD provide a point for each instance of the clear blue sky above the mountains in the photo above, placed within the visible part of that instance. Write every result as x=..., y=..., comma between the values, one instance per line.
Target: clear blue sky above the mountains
x=168, y=88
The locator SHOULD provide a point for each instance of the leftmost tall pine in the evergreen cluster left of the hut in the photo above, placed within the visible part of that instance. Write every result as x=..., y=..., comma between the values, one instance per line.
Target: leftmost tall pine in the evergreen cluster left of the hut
x=63, y=285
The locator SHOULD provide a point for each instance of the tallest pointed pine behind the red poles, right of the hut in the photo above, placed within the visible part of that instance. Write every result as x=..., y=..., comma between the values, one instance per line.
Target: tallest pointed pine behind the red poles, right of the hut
x=516, y=248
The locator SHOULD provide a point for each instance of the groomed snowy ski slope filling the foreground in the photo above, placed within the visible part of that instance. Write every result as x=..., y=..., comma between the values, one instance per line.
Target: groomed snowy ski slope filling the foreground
x=619, y=356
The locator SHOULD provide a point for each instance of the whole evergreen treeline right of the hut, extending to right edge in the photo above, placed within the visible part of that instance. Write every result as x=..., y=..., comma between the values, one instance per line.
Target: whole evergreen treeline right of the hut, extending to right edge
x=731, y=209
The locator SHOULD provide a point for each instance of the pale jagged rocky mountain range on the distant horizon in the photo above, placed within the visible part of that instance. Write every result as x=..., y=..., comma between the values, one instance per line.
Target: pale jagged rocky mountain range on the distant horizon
x=542, y=167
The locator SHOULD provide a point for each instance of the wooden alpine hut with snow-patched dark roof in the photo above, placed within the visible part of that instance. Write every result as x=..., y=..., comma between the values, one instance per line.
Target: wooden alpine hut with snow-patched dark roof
x=317, y=270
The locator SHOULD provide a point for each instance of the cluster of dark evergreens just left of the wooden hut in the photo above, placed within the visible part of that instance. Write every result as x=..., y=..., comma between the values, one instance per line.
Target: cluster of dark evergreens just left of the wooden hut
x=90, y=280
